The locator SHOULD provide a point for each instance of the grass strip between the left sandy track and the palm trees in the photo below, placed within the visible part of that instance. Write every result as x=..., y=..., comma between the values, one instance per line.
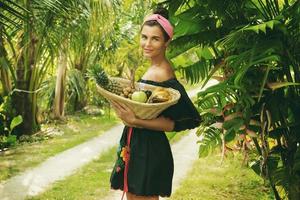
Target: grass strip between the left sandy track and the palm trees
x=27, y=155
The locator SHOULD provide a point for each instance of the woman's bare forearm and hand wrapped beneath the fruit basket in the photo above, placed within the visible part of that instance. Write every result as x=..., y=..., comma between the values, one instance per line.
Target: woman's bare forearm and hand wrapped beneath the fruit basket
x=129, y=118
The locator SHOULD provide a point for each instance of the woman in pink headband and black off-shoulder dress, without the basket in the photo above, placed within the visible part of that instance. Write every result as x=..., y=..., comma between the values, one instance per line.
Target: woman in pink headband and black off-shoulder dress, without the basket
x=144, y=168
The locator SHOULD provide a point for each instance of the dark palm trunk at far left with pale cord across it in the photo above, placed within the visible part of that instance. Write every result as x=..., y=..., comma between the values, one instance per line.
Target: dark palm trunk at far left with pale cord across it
x=24, y=99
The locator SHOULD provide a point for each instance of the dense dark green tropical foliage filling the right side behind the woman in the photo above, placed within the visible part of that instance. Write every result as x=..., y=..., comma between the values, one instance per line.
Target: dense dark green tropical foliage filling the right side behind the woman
x=255, y=46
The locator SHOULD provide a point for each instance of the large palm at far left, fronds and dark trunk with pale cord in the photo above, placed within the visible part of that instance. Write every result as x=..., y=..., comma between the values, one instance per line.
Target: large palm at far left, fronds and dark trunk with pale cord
x=32, y=47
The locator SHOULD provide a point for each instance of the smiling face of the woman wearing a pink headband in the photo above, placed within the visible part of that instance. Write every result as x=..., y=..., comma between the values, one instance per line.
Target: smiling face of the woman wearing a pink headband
x=152, y=41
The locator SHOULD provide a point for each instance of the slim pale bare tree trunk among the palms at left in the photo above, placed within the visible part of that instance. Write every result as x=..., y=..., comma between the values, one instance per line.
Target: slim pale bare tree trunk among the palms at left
x=59, y=99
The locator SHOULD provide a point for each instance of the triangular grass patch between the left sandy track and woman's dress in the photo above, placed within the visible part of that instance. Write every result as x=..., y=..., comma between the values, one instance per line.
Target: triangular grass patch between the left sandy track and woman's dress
x=89, y=182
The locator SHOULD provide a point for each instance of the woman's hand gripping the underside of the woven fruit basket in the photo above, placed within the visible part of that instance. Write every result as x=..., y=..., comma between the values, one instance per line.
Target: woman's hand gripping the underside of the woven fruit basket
x=124, y=113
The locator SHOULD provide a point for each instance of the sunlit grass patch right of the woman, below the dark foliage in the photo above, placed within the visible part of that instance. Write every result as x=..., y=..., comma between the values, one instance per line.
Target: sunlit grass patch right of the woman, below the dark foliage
x=209, y=180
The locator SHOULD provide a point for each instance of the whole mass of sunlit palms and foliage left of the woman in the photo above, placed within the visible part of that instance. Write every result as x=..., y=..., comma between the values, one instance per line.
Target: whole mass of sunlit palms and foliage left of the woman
x=47, y=46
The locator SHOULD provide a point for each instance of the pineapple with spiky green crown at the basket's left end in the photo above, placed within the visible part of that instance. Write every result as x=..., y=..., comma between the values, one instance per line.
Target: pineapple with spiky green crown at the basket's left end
x=101, y=78
